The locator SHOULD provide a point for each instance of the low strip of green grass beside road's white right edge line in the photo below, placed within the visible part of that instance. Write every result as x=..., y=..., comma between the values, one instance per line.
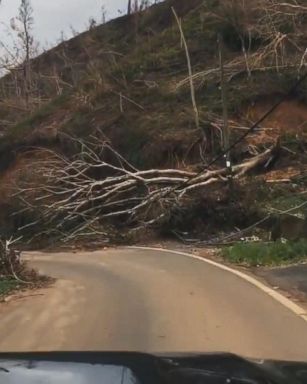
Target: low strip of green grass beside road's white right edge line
x=266, y=254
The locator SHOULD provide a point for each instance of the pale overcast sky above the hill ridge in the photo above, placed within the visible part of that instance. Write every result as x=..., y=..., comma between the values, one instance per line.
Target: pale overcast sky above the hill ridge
x=53, y=16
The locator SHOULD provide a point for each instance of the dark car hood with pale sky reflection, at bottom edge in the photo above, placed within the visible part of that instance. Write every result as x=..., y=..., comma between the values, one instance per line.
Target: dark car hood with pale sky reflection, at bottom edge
x=133, y=368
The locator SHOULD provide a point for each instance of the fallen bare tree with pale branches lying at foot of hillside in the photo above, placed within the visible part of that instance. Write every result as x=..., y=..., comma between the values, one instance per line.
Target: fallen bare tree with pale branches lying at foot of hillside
x=86, y=195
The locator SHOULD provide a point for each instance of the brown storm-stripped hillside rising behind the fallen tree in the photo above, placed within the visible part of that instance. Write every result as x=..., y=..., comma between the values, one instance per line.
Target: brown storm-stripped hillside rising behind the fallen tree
x=127, y=81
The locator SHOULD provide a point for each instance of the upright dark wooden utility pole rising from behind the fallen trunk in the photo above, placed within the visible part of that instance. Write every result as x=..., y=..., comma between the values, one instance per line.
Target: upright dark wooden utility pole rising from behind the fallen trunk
x=225, y=140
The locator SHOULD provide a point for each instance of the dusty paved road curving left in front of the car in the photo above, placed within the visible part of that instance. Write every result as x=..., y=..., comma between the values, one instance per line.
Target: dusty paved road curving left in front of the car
x=148, y=301
